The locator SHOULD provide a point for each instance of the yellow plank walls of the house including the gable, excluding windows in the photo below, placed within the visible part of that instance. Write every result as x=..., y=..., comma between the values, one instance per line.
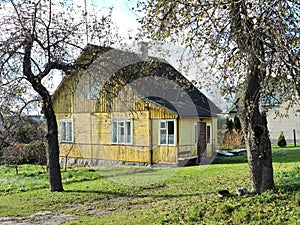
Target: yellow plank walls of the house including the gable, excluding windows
x=92, y=120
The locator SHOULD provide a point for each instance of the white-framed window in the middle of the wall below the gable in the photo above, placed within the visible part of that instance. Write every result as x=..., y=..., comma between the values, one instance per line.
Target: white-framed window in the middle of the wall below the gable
x=121, y=131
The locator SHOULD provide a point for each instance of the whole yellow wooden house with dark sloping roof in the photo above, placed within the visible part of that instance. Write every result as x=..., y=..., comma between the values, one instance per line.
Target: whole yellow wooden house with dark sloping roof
x=119, y=107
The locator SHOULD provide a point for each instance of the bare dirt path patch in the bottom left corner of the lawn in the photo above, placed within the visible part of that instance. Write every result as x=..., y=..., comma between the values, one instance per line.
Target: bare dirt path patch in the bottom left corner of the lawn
x=39, y=218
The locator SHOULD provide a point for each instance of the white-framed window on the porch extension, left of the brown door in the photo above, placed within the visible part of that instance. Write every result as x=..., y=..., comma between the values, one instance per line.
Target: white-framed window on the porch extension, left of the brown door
x=167, y=132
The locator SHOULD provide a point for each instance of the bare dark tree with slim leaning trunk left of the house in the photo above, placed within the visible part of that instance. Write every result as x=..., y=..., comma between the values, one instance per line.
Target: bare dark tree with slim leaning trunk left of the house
x=36, y=38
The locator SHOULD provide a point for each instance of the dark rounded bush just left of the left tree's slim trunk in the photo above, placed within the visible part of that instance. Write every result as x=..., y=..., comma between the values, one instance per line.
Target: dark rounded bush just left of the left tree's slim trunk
x=35, y=153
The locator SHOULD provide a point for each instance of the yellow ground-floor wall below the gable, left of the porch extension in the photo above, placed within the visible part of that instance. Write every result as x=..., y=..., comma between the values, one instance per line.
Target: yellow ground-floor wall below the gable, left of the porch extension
x=92, y=138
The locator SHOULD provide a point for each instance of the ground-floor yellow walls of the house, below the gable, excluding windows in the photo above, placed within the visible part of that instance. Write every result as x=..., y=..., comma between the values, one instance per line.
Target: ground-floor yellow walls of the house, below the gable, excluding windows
x=92, y=137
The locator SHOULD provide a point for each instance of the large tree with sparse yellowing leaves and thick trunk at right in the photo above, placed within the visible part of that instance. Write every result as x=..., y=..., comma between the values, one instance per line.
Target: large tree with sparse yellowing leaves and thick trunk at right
x=251, y=46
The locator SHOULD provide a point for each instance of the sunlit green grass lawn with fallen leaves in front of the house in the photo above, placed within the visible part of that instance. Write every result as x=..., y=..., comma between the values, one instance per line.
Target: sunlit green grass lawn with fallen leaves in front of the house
x=143, y=195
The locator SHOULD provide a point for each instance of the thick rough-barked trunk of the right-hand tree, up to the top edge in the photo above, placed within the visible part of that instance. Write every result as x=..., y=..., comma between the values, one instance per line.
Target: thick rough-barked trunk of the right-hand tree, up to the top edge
x=248, y=40
